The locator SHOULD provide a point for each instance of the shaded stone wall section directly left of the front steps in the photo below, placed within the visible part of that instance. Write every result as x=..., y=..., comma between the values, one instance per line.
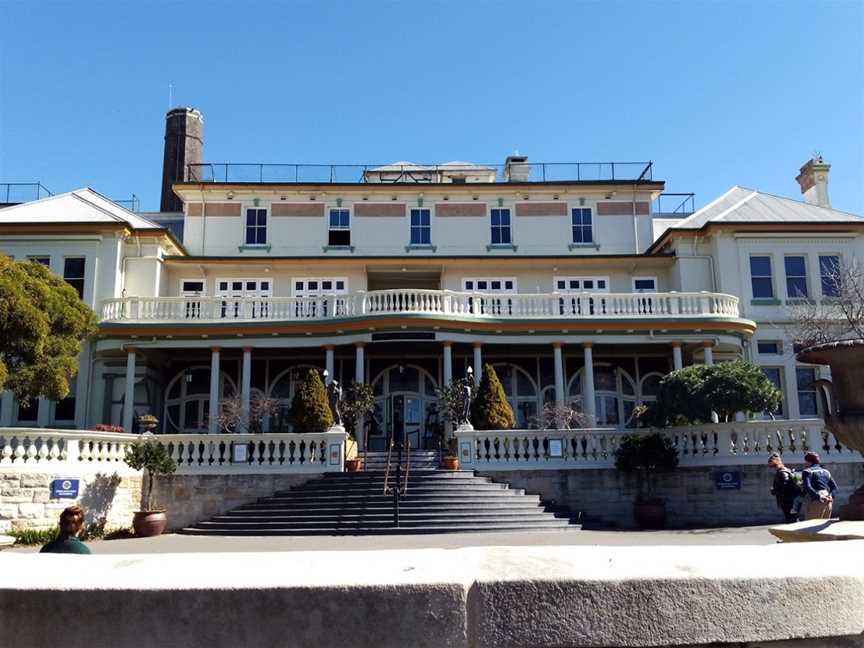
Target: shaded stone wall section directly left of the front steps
x=193, y=498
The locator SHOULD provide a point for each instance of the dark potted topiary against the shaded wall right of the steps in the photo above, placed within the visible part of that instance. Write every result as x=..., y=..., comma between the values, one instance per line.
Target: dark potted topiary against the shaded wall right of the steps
x=646, y=455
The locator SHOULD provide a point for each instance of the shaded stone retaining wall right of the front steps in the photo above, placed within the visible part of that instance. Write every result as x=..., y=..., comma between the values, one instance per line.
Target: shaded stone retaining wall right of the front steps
x=605, y=497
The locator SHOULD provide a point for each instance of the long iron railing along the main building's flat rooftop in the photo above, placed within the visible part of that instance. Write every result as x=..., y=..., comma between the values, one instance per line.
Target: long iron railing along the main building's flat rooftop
x=230, y=172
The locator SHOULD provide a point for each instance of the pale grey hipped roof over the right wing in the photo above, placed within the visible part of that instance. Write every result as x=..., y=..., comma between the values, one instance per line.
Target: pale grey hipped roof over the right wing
x=743, y=206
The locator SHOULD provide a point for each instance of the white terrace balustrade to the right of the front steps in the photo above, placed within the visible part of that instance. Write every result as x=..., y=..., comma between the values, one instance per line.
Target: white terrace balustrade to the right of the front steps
x=750, y=442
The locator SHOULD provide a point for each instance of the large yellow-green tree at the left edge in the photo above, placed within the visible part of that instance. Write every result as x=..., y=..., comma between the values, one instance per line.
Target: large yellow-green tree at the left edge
x=42, y=325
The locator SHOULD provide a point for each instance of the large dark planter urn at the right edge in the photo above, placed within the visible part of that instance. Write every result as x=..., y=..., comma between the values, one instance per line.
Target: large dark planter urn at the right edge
x=846, y=359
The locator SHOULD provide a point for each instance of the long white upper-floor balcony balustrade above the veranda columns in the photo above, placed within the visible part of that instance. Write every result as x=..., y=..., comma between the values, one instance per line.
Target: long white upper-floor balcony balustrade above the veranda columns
x=424, y=303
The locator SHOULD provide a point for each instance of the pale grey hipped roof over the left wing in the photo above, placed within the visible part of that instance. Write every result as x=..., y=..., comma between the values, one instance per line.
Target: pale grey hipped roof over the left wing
x=79, y=206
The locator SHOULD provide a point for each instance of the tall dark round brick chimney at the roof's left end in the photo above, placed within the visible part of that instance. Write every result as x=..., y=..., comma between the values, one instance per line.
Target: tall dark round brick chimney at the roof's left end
x=184, y=144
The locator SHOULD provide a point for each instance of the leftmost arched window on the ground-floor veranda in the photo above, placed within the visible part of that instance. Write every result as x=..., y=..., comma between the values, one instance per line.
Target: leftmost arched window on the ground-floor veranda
x=187, y=400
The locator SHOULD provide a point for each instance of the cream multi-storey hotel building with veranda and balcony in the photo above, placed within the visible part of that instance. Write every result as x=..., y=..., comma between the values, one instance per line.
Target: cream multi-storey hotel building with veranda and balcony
x=571, y=280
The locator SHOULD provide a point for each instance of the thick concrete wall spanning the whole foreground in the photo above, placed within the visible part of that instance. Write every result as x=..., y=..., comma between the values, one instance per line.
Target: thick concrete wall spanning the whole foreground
x=501, y=597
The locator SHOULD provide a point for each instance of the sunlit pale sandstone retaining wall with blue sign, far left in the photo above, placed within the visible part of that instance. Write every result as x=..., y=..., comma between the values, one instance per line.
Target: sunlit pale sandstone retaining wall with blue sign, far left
x=26, y=503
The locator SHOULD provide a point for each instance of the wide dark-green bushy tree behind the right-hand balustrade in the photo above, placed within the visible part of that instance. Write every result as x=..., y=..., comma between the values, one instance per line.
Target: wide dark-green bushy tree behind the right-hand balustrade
x=690, y=395
